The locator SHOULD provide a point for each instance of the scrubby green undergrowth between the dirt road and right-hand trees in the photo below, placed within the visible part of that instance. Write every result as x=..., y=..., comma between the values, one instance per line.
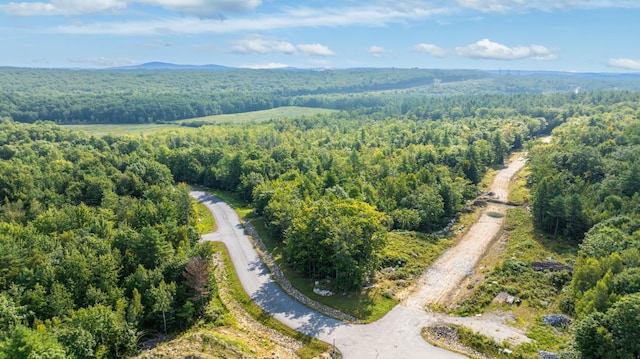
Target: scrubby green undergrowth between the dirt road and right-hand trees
x=539, y=293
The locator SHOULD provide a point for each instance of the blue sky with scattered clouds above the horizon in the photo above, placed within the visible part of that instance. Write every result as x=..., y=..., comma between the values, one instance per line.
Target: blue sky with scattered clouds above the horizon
x=562, y=35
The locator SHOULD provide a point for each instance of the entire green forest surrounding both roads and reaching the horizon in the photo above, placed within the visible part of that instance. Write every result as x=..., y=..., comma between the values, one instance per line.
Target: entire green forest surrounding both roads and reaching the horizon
x=98, y=238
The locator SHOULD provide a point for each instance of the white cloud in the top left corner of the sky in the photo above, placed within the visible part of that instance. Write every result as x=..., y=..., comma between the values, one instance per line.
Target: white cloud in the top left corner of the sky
x=62, y=7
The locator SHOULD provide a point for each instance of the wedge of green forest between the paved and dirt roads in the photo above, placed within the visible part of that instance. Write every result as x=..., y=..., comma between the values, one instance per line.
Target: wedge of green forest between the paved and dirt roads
x=415, y=171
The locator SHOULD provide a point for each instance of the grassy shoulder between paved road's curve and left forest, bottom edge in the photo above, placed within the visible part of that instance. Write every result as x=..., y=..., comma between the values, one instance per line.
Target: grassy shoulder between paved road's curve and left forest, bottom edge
x=234, y=327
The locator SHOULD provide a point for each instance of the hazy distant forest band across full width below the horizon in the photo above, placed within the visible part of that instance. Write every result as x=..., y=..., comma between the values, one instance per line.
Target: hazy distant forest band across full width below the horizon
x=152, y=96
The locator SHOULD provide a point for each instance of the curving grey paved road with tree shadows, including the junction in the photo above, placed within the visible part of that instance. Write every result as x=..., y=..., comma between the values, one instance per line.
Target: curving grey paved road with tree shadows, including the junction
x=397, y=335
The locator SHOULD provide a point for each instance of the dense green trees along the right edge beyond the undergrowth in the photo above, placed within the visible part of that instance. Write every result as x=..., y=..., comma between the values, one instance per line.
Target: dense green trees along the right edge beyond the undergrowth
x=586, y=187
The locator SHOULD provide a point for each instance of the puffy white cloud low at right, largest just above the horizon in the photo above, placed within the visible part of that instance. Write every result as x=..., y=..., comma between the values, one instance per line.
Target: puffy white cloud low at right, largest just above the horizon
x=487, y=49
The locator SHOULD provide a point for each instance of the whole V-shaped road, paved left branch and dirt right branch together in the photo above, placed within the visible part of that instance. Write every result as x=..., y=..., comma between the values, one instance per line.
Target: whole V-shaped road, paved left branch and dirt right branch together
x=397, y=335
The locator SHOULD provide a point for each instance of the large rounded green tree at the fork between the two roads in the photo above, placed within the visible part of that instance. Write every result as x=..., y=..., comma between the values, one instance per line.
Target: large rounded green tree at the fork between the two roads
x=336, y=239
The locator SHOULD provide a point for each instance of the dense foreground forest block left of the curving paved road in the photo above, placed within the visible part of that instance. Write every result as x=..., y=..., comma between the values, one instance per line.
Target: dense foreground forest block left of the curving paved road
x=97, y=246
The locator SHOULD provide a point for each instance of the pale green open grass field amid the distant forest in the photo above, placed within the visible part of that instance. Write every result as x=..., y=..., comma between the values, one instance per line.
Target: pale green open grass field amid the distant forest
x=147, y=129
